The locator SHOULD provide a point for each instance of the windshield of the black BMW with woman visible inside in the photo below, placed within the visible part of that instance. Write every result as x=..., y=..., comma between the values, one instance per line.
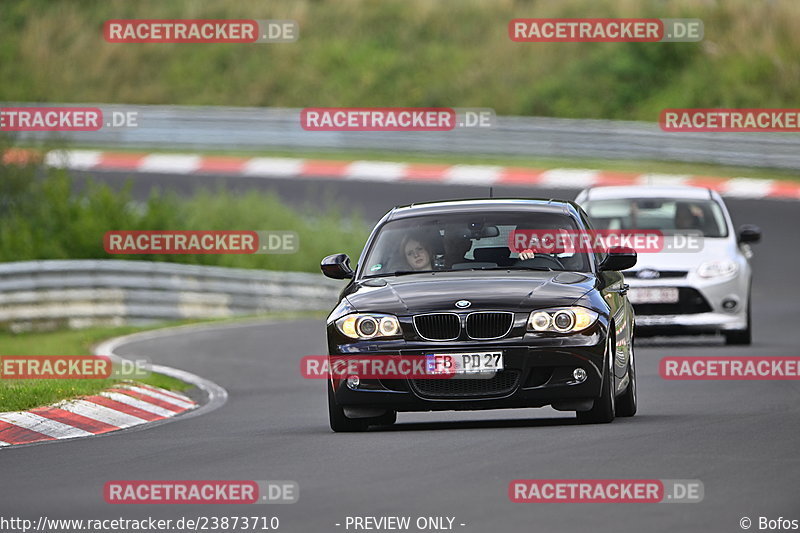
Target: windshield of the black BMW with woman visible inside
x=467, y=242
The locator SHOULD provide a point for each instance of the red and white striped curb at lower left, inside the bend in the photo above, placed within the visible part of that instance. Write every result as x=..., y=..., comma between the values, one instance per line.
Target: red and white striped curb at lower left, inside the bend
x=122, y=406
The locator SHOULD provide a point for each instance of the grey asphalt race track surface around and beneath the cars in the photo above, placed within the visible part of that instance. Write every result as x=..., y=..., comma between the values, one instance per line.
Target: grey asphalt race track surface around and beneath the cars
x=740, y=438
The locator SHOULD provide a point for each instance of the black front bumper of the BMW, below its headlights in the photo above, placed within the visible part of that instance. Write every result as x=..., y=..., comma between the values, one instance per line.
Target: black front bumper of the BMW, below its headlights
x=537, y=372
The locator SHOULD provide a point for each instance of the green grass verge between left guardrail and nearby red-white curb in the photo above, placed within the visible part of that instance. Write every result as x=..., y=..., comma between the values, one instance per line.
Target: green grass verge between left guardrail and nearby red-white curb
x=22, y=394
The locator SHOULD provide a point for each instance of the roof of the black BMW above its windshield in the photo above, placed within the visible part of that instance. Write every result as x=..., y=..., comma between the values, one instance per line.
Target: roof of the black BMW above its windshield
x=539, y=205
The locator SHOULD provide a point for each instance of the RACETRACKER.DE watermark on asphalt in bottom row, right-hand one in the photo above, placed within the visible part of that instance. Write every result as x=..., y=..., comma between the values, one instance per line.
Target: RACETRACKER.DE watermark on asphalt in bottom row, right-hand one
x=606, y=491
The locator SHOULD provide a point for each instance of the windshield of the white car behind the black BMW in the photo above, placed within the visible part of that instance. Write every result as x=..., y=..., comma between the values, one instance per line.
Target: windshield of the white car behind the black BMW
x=668, y=215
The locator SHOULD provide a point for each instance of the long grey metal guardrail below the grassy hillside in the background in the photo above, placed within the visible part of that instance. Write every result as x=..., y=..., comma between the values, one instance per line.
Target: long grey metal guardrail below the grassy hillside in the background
x=214, y=128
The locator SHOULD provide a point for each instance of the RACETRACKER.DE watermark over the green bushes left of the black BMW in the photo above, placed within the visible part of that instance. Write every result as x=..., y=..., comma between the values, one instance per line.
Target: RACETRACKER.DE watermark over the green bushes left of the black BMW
x=201, y=242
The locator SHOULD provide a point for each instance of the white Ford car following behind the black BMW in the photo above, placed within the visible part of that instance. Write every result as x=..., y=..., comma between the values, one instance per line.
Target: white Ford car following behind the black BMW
x=701, y=289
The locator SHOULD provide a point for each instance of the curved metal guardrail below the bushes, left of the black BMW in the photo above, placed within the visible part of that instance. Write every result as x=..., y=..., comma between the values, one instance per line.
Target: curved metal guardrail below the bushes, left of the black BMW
x=82, y=293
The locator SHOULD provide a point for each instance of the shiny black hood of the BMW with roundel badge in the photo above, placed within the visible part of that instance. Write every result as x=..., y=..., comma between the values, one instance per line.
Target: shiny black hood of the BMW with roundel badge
x=439, y=291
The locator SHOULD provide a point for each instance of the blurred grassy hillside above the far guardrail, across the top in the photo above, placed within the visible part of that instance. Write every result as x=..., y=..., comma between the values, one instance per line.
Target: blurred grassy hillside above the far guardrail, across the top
x=407, y=53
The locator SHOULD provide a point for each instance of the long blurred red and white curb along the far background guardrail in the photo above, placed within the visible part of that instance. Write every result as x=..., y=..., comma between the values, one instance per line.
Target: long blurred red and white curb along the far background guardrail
x=382, y=171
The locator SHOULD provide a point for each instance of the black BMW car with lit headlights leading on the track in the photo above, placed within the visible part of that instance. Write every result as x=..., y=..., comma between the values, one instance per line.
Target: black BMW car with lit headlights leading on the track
x=446, y=281
